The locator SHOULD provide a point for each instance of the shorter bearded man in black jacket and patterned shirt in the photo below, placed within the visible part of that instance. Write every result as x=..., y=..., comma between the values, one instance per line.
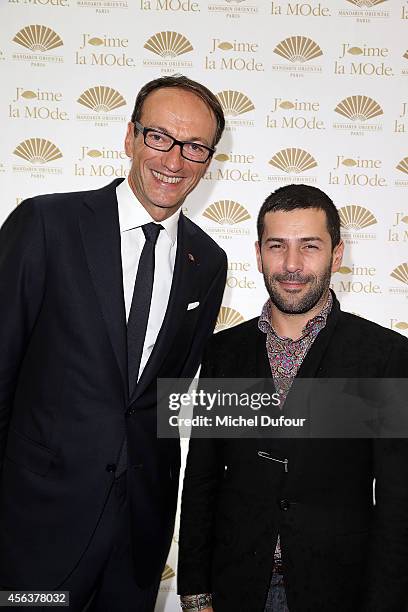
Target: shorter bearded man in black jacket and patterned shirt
x=289, y=524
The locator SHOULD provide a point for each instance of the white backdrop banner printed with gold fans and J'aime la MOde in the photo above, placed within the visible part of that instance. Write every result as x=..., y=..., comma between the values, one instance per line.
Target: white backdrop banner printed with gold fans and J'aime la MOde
x=314, y=92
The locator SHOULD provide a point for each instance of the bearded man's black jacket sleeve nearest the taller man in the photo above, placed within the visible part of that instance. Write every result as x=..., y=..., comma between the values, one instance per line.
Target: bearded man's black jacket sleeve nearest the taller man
x=203, y=474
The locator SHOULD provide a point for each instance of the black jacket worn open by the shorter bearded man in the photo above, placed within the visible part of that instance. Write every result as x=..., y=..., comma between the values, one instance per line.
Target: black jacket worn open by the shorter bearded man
x=340, y=553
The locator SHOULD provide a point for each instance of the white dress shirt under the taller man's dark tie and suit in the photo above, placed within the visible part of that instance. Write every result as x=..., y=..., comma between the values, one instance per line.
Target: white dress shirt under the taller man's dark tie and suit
x=132, y=215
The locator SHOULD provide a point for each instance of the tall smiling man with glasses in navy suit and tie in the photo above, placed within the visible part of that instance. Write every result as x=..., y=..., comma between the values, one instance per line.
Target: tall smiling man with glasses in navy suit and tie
x=103, y=292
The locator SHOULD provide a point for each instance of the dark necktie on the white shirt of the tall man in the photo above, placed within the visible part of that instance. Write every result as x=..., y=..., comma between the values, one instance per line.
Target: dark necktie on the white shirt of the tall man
x=140, y=308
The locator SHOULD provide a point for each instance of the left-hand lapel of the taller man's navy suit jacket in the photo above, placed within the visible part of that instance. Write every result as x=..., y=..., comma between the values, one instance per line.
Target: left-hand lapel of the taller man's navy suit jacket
x=99, y=222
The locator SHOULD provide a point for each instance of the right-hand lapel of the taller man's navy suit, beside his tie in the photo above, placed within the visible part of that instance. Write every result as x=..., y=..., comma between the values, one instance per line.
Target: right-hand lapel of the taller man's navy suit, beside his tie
x=185, y=281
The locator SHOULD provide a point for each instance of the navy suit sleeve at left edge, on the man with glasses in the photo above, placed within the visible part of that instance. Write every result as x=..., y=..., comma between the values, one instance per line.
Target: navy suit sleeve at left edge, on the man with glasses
x=22, y=279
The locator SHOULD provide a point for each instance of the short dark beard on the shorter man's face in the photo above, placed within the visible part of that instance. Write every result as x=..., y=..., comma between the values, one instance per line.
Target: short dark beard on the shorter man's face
x=289, y=304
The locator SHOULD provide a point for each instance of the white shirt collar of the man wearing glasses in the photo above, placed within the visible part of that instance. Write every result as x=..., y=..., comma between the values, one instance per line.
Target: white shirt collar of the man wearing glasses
x=132, y=214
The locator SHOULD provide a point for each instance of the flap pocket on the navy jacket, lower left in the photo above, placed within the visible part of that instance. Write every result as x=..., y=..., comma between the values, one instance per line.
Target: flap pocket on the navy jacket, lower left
x=30, y=454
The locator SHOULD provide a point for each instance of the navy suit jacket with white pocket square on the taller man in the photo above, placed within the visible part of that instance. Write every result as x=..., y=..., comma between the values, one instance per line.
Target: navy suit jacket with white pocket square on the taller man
x=64, y=406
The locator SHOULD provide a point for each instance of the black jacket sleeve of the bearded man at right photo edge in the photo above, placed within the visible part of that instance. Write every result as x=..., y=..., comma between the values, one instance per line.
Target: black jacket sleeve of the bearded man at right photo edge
x=387, y=572
